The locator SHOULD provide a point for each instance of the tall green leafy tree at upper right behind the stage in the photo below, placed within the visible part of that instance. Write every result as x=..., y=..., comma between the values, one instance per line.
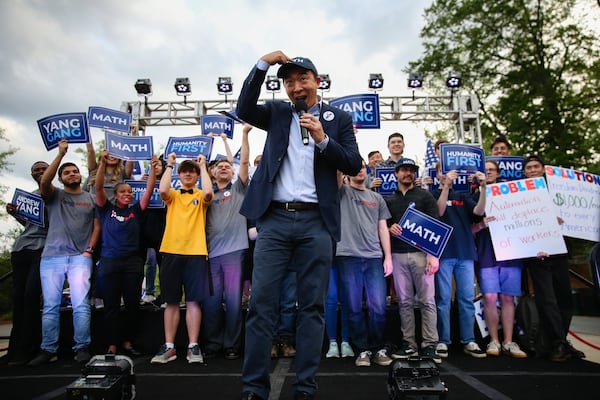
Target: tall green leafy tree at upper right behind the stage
x=535, y=67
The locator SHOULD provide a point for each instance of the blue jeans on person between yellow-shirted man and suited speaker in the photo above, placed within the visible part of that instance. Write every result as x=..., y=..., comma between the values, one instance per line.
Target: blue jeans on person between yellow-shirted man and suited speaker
x=224, y=327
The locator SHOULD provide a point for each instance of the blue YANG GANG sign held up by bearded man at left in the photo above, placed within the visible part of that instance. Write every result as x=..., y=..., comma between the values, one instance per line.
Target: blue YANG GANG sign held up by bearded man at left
x=70, y=126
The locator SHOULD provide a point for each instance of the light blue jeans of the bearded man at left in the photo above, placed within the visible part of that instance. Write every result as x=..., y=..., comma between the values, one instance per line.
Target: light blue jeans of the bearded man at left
x=77, y=270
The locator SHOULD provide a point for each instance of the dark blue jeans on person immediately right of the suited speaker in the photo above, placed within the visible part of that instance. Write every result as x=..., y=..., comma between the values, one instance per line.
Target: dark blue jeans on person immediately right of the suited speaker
x=355, y=275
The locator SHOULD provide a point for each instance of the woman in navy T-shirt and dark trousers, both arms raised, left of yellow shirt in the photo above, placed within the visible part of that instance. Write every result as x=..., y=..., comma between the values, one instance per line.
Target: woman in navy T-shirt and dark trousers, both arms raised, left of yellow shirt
x=121, y=263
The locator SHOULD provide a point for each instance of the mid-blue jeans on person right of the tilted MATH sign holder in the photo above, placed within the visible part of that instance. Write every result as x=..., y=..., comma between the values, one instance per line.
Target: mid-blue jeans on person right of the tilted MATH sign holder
x=464, y=277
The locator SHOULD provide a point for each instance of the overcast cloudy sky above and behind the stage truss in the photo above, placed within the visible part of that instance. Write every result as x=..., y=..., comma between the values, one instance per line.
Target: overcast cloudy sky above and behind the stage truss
x=64, y=56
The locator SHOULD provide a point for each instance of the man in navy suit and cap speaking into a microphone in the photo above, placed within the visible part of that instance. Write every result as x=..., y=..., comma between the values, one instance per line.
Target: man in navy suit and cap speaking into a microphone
x=294, y=197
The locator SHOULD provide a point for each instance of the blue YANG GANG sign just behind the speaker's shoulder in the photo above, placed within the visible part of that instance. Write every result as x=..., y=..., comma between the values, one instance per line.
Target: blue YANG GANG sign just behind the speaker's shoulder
x=364, y=109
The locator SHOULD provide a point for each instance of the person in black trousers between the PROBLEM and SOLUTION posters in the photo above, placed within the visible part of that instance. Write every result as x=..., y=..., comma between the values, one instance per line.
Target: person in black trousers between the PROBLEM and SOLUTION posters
x=552, y=286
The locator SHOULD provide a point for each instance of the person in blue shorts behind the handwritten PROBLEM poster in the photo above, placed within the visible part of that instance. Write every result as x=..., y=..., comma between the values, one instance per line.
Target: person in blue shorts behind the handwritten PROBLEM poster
x=497, y=279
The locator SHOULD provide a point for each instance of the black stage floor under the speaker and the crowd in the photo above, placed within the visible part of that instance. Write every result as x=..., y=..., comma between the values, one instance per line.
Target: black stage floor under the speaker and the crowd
x=465, y=377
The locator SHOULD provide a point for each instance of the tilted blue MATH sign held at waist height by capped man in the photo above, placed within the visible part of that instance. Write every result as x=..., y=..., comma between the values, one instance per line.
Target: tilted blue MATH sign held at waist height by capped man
x=423, y=232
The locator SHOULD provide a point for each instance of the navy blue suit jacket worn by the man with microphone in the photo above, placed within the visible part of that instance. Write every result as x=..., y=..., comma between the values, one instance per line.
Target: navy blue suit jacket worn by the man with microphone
x=275, y=117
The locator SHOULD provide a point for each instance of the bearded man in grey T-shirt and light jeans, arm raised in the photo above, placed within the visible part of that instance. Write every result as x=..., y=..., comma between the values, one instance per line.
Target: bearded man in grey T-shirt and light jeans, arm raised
x=73, y=231
